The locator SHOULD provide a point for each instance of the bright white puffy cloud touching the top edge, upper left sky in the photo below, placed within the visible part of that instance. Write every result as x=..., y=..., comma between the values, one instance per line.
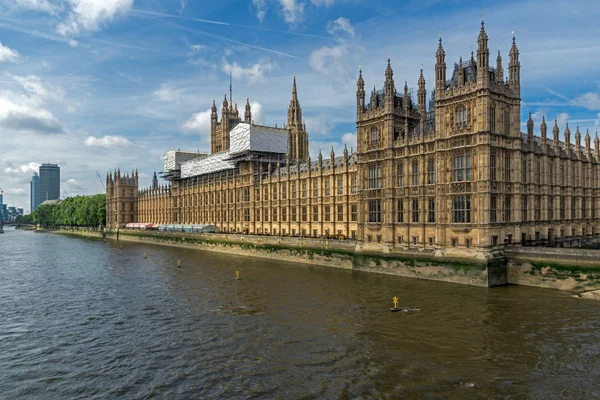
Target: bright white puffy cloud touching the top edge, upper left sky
x=89, y=15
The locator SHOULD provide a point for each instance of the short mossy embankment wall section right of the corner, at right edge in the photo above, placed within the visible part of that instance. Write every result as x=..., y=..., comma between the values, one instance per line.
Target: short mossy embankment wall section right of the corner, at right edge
x=558, y=268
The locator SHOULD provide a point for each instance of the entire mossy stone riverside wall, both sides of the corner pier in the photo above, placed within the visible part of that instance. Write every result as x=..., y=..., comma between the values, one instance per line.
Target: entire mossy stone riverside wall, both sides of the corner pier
x=570, y=269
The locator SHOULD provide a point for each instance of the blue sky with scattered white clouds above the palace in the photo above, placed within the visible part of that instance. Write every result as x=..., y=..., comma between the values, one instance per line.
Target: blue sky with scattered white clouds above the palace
x=93, y=85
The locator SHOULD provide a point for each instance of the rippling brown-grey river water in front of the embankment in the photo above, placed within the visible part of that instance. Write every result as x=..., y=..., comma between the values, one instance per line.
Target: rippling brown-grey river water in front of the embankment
x=85, y=319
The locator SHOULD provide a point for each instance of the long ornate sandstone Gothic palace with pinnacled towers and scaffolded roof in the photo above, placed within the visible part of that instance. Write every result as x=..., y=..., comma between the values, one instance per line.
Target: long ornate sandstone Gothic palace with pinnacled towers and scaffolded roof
x=454, y=177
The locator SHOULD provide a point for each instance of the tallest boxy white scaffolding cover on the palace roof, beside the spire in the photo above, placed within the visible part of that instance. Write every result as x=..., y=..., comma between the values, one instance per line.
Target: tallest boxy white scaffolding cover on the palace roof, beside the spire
x=245, y=137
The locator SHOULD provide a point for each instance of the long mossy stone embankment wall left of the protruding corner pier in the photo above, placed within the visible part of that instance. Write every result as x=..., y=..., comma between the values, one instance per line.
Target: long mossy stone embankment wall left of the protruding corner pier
x=330, y=253
